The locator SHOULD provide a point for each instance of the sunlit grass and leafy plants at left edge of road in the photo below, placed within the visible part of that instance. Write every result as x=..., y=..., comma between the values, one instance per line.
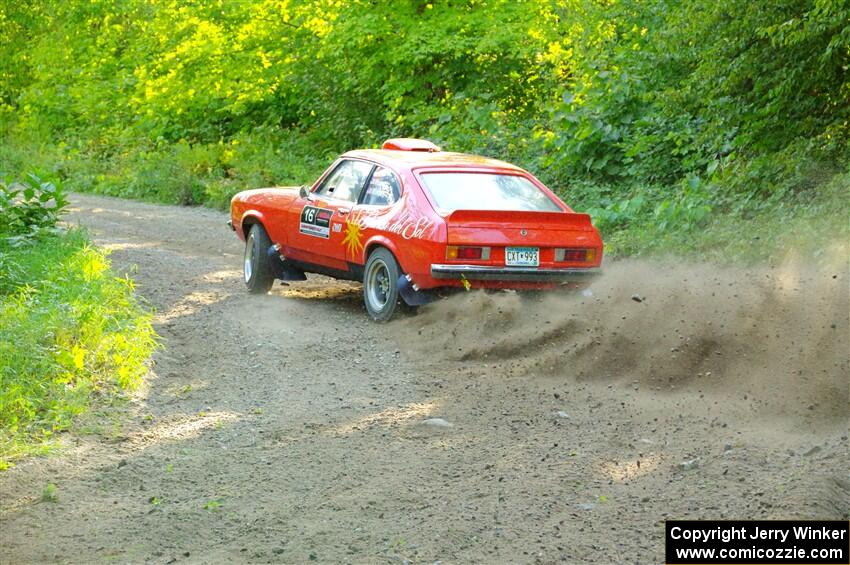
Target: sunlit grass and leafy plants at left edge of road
x=71, y=333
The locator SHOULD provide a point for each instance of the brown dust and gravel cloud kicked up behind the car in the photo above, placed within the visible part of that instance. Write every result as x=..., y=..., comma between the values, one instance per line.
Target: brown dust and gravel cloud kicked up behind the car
x=775, y=337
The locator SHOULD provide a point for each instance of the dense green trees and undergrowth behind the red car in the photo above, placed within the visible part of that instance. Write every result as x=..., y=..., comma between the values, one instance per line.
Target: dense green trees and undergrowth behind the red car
x=718, y=129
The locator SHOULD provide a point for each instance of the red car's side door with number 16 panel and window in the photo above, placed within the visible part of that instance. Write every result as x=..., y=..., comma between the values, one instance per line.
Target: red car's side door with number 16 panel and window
x=321, y=219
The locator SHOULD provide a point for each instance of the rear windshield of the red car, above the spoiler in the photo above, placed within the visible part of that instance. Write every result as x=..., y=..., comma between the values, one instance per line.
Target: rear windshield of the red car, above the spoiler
x=486, y=191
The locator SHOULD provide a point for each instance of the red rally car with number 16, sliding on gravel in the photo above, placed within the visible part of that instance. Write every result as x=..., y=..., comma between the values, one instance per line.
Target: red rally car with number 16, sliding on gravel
x=408, y=219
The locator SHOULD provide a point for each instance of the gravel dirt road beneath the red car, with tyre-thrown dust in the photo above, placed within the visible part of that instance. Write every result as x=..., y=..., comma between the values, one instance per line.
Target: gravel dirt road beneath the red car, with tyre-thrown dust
x=288, y=428
